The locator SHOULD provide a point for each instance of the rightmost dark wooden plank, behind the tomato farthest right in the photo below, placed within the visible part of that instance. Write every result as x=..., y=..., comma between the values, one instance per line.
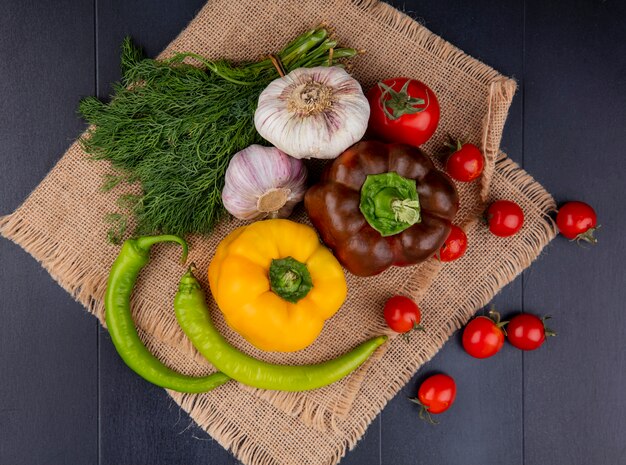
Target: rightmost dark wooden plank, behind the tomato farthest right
x=574, y=124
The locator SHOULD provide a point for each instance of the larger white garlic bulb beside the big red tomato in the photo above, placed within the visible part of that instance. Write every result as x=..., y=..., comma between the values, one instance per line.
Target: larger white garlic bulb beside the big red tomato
x=313, y=112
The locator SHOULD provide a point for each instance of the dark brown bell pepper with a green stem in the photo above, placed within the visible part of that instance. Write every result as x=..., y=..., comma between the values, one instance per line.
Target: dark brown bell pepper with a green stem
x=392, y=219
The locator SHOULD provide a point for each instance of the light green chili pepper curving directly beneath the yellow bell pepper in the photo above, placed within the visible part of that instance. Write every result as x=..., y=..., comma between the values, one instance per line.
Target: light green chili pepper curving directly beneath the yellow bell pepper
x=194, y=318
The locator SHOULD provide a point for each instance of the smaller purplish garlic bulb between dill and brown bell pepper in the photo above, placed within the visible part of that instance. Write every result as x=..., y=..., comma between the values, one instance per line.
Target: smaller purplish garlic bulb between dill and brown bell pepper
x=263, y=182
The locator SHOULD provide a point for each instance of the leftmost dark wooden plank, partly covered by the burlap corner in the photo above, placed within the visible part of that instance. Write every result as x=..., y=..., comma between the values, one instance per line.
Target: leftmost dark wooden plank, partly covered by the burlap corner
x=48, y=345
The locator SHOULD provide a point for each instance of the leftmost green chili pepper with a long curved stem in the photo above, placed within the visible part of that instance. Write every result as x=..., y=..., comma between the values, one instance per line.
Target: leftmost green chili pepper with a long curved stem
x=134, y=255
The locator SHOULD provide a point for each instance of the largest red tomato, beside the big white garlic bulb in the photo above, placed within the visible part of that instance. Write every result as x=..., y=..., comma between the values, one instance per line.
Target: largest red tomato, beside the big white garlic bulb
x=403, y=110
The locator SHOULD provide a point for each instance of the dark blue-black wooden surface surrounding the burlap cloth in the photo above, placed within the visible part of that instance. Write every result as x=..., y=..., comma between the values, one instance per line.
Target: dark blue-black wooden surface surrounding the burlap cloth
x=66, y=397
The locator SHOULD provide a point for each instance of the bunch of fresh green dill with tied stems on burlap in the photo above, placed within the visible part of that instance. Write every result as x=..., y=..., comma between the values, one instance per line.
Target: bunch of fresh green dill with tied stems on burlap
x=174, y=127
